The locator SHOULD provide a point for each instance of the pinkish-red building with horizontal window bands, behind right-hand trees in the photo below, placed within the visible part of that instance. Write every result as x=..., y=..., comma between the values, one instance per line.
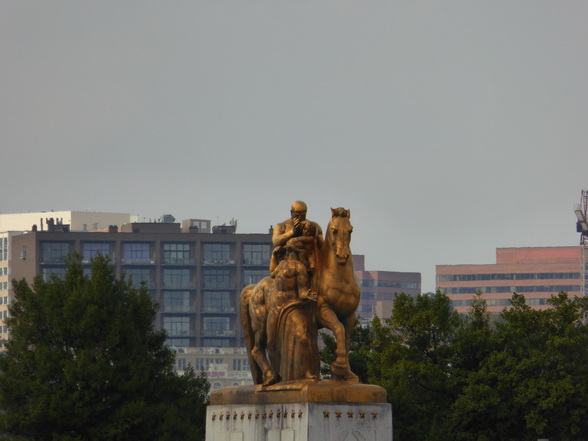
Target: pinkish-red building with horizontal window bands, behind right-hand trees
x=536, y=273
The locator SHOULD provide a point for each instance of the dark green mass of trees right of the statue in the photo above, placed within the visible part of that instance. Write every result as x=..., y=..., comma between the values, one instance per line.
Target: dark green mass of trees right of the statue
x=523, y=376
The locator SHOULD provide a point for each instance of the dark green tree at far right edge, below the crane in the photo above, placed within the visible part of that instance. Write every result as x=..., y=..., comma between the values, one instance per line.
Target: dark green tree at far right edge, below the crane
x=534, y=382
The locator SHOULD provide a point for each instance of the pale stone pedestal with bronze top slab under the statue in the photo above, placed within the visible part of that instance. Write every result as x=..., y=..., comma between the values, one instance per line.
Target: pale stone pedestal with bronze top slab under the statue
x=300, y=411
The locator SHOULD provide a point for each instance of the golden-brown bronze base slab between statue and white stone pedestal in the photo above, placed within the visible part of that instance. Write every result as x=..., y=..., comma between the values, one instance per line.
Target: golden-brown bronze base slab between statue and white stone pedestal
x=301, y=391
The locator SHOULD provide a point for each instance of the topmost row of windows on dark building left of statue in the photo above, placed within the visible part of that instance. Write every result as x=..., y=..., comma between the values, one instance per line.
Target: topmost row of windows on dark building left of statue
x=173, y=253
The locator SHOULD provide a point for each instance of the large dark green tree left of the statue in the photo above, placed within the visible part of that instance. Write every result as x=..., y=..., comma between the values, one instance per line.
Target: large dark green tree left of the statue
x=83, y=362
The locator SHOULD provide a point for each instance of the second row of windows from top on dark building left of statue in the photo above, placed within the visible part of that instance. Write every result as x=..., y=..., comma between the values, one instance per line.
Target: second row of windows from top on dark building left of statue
x=176, y=278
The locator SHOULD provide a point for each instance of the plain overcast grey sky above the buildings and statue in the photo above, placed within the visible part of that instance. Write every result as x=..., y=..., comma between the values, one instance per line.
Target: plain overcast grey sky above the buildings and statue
x=448, y=128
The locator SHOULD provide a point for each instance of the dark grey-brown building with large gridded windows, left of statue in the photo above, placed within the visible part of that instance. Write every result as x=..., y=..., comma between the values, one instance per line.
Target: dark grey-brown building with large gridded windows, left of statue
x=195, y=273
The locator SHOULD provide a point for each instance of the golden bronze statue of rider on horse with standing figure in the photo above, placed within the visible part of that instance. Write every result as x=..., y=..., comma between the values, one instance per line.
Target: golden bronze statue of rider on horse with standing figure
x=311, y=285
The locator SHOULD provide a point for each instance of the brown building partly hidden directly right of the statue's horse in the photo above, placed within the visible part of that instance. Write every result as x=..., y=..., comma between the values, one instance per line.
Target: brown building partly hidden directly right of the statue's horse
x=379, y=287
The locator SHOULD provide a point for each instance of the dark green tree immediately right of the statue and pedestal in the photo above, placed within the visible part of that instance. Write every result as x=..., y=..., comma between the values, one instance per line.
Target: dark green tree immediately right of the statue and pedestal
x=414, y=363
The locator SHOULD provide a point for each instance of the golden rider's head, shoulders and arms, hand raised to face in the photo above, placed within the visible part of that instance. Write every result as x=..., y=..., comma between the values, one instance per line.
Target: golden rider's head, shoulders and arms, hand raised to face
x=297, y=227
